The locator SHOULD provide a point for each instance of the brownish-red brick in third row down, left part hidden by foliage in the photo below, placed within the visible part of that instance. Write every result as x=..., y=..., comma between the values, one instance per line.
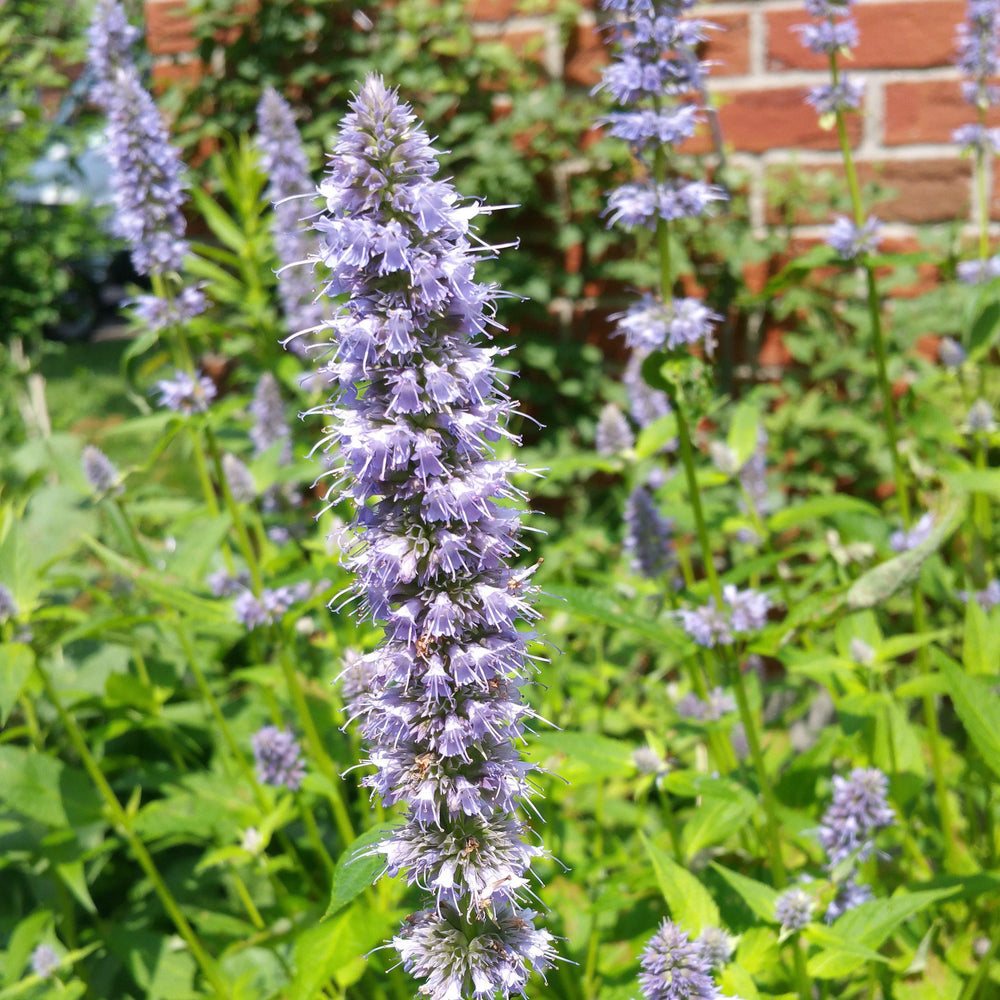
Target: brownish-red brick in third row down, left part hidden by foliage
x=917, y=190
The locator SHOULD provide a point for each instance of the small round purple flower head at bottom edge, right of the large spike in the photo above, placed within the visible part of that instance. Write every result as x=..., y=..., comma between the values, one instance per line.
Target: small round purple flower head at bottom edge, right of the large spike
x=676, y=968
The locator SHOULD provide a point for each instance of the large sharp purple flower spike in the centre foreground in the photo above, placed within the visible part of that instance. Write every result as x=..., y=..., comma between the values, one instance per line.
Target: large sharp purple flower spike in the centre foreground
x=418, y=409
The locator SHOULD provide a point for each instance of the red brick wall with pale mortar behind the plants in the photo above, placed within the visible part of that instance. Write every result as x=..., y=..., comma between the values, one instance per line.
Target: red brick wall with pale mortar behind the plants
x=901, y=137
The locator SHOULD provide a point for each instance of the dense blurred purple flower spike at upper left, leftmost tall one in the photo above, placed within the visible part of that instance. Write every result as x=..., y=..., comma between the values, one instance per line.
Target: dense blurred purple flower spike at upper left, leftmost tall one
x=146, y=176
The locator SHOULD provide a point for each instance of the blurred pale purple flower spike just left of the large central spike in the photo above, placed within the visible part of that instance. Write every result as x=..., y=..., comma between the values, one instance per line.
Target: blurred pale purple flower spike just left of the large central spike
x=284, y=161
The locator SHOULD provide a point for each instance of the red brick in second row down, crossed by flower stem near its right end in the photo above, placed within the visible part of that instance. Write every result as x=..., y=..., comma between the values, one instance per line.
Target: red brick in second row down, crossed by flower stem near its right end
x=755, y=121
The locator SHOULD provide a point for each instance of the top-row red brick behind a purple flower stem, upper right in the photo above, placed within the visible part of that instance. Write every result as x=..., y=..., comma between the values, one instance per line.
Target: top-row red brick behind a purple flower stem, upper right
x=914, y=34
